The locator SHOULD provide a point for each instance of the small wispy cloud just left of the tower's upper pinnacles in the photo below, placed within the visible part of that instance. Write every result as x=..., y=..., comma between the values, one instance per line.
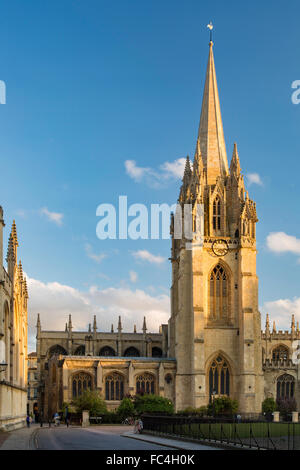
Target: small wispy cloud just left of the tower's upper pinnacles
x=156, y=178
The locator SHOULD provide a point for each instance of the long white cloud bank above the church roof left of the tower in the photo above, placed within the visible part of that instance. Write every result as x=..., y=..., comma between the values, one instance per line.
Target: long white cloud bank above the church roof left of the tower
x=55, y=301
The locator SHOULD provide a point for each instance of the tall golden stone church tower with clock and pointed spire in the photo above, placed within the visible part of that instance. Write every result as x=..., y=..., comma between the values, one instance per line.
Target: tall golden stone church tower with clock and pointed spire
x=215, y=327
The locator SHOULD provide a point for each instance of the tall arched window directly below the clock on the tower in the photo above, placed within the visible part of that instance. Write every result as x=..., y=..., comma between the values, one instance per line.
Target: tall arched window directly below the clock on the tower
x=219, y=293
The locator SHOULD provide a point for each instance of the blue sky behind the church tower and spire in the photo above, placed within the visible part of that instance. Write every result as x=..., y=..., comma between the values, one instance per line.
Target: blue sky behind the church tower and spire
x=91, y=84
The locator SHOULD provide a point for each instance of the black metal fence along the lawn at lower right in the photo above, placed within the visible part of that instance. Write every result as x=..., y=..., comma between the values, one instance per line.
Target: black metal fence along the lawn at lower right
x=239, y=434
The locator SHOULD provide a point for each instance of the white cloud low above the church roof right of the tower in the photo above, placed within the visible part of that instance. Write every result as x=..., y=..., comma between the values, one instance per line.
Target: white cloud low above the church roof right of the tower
x=281, y=311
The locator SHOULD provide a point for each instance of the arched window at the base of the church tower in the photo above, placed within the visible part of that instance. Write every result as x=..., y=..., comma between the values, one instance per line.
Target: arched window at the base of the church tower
x=219, y=378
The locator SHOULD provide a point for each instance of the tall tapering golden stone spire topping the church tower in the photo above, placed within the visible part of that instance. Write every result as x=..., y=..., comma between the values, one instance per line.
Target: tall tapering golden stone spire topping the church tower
x=211, y=134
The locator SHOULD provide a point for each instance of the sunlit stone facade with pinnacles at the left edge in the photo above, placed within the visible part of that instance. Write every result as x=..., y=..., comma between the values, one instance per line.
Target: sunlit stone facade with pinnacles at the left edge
x=13, y=335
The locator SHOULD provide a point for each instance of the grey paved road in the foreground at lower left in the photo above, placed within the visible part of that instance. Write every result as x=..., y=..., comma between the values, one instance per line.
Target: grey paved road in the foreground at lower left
x=96, y=438
